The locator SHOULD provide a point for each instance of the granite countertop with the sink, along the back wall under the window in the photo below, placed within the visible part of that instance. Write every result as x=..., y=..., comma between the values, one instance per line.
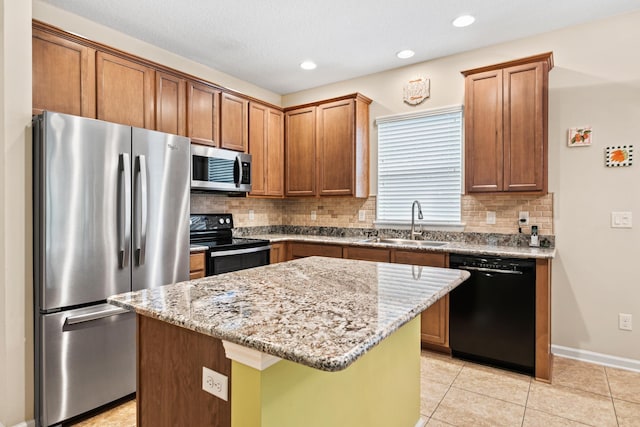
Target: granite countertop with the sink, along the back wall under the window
x=451, y=247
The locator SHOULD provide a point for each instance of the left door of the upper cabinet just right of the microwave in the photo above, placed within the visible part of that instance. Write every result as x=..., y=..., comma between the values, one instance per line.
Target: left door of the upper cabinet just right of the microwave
x=258, y=117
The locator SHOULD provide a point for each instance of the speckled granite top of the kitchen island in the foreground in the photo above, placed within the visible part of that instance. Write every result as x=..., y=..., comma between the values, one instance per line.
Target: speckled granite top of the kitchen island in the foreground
x=320, y=312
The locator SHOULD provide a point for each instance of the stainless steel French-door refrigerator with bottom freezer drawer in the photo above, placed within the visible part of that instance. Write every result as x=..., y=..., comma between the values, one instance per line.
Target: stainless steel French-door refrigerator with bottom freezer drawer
x=111, y=215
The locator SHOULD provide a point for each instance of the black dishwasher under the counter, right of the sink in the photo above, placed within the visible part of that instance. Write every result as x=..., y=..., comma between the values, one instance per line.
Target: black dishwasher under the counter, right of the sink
x=492, y=314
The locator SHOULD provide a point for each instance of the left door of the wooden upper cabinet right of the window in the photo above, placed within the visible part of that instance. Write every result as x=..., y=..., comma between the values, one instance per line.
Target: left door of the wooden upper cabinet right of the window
x=483, y=132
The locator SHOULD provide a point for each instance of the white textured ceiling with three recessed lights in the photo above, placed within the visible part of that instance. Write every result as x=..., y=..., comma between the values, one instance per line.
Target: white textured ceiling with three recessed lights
x=263, y=42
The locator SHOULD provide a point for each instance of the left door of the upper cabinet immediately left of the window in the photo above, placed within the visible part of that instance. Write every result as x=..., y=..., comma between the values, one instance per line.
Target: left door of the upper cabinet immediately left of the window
x=300, y=152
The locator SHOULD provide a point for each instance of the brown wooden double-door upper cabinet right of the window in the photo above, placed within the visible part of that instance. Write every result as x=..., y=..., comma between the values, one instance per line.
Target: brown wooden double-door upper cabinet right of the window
x=506, y=108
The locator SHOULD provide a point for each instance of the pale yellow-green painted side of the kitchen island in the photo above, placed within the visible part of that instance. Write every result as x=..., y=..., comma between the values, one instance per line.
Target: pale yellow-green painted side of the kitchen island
x=380, y=389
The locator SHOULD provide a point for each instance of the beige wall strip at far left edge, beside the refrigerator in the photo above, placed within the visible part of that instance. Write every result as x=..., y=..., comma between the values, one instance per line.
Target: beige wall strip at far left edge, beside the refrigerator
x=16, y=327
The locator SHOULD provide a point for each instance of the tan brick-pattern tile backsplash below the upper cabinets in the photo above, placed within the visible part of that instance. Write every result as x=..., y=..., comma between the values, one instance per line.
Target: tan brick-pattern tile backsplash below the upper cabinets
x=343, y=212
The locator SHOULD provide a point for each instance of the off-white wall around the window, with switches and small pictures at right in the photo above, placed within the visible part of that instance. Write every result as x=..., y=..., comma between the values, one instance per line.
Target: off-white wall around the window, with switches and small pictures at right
x=595, y=82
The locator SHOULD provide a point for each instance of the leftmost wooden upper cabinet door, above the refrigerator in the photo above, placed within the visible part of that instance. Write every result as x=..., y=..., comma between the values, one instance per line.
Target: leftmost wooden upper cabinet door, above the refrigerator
x=63, y=76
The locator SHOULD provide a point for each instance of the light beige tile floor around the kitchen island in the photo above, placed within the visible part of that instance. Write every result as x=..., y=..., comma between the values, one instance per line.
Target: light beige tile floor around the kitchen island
x=458, y=393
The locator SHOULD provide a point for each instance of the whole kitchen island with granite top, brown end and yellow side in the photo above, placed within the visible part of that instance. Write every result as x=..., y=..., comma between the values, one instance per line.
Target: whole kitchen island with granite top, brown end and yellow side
x=316, y=342
